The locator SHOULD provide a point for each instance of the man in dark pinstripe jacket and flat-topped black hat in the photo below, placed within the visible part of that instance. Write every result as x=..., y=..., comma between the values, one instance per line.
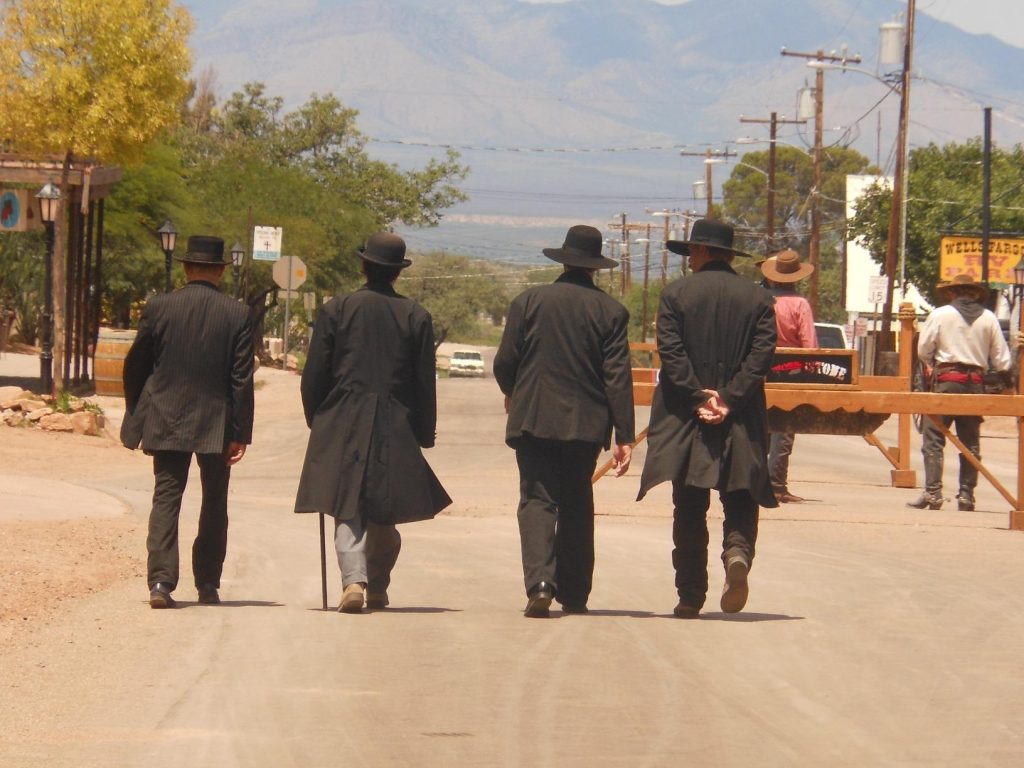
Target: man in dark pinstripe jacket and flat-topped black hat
x=189, y=390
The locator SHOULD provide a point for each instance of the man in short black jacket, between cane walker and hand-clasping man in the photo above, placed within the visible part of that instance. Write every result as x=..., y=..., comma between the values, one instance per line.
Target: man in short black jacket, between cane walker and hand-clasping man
x=564, y=365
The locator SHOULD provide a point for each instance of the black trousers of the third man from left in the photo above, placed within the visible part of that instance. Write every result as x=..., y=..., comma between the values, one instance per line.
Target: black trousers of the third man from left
x=557, y=516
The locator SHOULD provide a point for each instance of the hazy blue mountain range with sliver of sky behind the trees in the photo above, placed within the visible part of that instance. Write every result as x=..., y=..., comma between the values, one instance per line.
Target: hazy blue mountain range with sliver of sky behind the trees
x=578, y=111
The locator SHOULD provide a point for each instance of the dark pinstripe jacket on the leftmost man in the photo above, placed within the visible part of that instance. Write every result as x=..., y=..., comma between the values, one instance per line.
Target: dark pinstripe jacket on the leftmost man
x=189, y=376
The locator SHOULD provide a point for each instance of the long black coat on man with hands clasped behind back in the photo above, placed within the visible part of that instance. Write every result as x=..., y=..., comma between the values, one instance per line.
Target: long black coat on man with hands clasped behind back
x=716, y=330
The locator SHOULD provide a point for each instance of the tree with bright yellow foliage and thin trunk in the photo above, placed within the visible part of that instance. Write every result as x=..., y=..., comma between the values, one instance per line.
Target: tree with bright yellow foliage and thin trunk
x=93, y=80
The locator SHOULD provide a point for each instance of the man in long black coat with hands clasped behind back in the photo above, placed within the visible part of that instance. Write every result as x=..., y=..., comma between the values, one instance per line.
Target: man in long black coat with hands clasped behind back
x=716, y=338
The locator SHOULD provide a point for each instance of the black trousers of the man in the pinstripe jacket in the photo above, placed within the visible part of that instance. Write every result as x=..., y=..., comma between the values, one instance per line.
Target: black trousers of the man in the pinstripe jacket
x=172, y=472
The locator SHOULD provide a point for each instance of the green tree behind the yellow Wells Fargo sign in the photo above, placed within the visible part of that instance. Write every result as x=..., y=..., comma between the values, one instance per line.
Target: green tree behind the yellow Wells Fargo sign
x=945, y=190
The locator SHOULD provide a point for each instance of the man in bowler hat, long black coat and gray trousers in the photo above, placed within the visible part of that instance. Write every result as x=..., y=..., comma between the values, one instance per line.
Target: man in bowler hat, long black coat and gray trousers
x=370, y=401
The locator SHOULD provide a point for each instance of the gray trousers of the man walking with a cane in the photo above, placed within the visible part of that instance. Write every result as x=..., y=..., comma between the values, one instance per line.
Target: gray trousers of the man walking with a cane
x=367, y=552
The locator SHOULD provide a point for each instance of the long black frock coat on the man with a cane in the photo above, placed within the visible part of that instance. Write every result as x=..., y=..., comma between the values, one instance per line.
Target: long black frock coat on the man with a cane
x=370, y=401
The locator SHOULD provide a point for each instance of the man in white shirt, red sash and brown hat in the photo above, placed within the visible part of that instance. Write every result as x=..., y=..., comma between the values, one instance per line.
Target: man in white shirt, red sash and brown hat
x=958, y=345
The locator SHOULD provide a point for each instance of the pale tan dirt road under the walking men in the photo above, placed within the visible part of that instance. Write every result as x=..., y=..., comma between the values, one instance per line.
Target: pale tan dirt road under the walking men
x=875, y=635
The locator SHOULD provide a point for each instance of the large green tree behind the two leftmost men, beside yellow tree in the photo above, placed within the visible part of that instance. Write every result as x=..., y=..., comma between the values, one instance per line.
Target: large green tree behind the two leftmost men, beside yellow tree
x=307, y=172
